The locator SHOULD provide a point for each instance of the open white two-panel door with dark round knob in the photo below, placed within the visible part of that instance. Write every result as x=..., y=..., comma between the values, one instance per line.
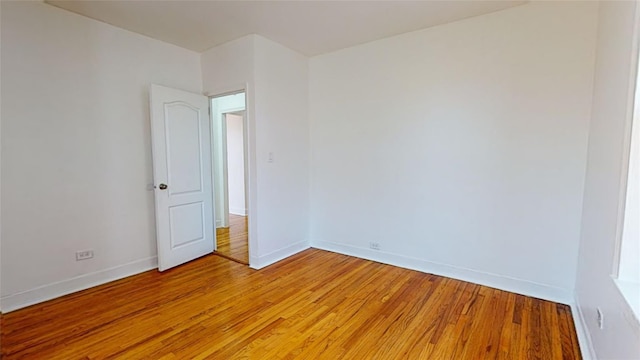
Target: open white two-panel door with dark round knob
x=181, y=146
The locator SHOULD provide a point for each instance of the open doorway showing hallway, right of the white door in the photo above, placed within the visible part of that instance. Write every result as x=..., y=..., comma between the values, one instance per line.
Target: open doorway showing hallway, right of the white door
x=230, y=174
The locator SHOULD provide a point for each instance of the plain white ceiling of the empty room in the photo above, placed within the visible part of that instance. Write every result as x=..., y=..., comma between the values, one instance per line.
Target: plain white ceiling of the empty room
x=309, y=27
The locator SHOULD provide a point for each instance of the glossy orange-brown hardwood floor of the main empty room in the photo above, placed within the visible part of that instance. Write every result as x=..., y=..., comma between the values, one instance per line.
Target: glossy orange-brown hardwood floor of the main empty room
x=314, y=305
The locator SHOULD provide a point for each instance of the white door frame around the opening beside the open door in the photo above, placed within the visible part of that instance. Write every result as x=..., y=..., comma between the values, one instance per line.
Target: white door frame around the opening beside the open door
x=250, y=162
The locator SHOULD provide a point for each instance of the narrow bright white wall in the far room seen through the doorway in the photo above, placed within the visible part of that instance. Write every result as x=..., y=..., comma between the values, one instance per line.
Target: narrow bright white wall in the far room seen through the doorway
x=235, y=164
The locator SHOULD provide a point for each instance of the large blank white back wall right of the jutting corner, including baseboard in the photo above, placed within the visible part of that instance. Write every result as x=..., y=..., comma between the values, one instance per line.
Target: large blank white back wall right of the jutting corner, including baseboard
x=459, y=149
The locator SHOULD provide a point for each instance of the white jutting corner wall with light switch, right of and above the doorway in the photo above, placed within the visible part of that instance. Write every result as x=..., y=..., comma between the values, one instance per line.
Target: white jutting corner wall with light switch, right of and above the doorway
x=276, y=83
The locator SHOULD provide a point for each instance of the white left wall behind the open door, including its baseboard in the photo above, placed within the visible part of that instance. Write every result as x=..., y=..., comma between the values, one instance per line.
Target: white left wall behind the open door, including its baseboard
x=76, y=154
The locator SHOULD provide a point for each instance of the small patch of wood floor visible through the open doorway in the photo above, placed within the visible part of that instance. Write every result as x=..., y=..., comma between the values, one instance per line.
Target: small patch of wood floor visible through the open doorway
x=233, y=241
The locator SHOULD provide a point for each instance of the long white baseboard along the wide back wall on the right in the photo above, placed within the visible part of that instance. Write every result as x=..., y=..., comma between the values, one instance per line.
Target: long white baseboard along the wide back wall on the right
x=518, y=286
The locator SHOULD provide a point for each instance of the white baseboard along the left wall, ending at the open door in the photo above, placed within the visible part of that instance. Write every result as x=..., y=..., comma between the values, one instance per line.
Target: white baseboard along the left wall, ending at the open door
x=51, y=291
